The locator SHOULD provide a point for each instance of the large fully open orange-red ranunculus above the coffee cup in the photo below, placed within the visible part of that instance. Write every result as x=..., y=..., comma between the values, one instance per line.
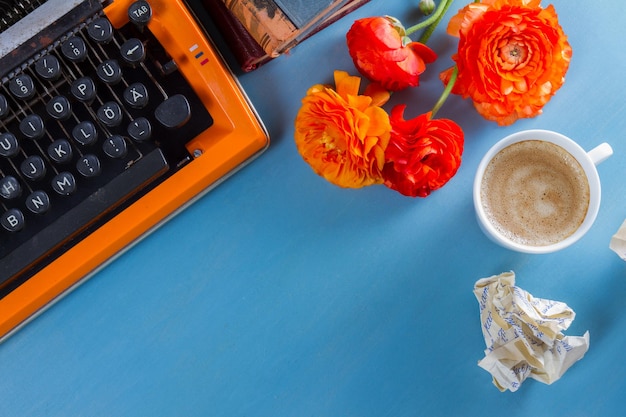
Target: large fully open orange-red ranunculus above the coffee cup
x=512, y=57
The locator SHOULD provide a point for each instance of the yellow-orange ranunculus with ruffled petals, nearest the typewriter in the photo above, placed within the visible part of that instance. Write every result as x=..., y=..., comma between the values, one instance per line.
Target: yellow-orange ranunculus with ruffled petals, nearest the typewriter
x=343, y=135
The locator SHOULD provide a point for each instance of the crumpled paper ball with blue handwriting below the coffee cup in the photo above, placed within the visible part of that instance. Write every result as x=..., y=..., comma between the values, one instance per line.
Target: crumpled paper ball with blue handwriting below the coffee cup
x=523, y=334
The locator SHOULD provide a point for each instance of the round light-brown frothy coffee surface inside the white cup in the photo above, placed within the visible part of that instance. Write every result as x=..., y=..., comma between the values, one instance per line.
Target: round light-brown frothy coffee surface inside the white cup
x=535, y=193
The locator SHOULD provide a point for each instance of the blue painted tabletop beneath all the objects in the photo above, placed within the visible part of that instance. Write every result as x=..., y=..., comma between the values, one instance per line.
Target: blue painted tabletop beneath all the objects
x=279, y=294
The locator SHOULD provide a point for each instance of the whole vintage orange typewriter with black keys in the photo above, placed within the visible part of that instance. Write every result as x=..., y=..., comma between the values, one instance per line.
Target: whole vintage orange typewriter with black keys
x=114, y=115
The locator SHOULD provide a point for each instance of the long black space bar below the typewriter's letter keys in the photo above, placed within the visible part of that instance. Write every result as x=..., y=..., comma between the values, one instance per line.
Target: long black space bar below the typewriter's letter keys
x=81, y=216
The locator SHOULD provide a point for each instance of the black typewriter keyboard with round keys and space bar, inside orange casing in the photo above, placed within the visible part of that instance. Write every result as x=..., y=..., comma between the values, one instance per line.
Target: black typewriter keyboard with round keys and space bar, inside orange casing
x=87, y=126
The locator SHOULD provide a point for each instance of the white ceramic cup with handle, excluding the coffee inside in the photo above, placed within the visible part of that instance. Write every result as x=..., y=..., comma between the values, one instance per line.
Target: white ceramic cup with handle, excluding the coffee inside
x=587, y=161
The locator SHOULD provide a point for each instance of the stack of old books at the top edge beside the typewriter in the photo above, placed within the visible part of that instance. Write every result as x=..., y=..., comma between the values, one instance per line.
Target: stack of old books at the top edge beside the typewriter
x=259, y=30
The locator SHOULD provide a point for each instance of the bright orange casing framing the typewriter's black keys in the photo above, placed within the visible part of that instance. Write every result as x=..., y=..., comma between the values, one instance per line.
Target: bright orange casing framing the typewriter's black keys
x=236, y=136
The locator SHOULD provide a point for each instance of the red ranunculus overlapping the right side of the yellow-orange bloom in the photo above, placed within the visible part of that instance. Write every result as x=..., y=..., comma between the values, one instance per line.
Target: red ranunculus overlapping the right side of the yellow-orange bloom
x=423, y=153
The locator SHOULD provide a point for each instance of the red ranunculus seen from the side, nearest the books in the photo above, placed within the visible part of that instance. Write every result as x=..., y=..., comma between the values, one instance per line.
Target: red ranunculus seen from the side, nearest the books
x=382, y=52
